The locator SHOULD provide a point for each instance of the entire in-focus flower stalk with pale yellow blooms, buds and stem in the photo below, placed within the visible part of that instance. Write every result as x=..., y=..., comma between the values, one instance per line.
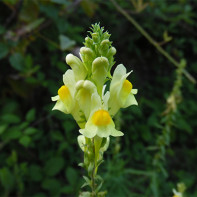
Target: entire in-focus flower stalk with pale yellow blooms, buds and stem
x=86, y=96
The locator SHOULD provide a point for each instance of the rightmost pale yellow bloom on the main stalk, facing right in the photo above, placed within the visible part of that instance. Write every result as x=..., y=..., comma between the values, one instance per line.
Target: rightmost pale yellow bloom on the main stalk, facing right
x=121, y=91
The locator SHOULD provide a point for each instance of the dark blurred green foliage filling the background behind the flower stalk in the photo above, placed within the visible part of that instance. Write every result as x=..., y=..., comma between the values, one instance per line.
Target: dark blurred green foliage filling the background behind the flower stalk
x=38, y=148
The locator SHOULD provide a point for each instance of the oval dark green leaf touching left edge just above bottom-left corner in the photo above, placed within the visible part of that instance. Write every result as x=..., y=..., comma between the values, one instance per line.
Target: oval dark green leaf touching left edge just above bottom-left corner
x=7, y=178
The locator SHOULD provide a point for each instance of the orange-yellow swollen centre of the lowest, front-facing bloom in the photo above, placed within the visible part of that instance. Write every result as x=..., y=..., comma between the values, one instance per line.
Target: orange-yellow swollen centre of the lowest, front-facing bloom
x=101, y=118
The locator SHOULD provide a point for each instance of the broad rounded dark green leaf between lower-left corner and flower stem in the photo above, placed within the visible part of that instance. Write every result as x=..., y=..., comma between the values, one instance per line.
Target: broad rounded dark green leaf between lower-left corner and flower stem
x=54, y=166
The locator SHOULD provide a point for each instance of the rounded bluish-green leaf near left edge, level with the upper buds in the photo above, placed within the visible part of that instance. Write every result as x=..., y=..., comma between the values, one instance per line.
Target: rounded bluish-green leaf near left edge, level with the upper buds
x=17, y=61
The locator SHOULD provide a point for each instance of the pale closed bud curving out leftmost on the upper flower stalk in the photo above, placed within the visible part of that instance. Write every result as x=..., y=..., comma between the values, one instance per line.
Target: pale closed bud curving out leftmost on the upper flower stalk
x=77, y=66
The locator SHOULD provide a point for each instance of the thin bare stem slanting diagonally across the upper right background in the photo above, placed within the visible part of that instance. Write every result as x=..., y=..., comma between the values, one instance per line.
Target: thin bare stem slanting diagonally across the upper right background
x=152, y=41
